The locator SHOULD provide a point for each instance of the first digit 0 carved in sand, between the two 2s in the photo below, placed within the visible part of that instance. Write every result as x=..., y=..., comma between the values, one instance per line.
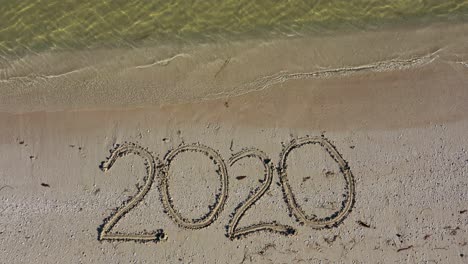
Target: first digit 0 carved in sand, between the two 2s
x=215, y=209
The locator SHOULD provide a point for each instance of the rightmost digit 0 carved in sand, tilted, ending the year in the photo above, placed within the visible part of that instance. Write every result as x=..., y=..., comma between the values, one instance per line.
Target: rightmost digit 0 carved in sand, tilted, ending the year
x=347, y=204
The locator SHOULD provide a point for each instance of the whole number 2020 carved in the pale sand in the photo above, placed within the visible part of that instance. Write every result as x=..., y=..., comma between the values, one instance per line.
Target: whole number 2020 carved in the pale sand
x=160, y=170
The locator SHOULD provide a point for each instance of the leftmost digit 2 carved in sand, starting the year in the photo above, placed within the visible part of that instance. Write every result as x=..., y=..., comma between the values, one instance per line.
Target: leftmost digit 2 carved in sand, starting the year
x=150, y=163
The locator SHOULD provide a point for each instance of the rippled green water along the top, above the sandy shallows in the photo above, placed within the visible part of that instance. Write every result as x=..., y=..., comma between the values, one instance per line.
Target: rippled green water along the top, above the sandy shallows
x=38, y=25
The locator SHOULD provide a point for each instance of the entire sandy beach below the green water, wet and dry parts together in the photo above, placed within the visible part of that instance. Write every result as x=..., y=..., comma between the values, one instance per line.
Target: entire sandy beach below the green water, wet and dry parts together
x=247, y=155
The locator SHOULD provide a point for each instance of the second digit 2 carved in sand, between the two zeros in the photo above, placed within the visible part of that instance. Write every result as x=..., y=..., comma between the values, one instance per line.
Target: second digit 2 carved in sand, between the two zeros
x=234, y=232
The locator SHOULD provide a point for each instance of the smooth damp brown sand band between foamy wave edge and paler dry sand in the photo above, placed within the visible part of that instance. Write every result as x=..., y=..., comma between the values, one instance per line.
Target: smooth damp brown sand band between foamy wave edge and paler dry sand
x=416, y=97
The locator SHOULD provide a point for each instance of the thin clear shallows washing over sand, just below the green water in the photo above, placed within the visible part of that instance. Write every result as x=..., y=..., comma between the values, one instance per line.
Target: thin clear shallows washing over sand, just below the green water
x=151, y=77
